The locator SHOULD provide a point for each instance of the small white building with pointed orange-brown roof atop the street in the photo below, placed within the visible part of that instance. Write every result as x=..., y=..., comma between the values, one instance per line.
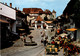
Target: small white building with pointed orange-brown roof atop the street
x=41, y=24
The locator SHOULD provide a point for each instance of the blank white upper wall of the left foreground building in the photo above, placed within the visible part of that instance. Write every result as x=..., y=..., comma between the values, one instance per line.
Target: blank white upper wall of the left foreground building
x=7, y=11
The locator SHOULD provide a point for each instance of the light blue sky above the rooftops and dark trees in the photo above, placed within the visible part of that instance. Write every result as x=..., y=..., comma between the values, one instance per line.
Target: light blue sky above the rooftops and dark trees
x=57, y=5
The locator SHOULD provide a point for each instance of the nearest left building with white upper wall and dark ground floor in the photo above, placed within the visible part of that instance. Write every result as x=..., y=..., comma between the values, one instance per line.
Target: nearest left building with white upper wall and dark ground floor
x=7, y=22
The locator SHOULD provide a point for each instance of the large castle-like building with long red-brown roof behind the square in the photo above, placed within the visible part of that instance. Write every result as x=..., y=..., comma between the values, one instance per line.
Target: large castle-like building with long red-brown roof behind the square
x=35, y=13
